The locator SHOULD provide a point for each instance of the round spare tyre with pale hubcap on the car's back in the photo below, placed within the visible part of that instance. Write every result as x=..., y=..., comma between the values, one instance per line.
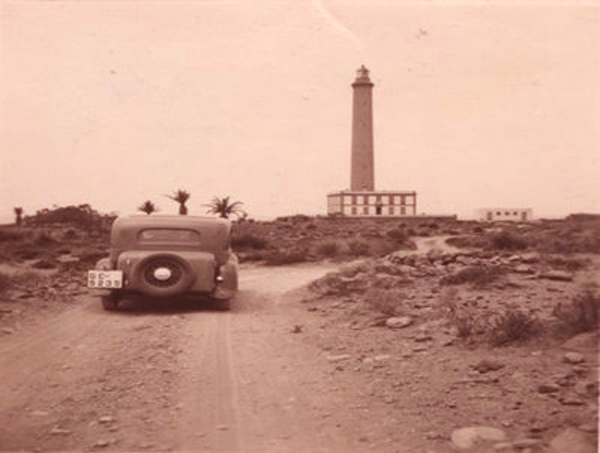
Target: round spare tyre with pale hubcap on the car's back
x=164, y=275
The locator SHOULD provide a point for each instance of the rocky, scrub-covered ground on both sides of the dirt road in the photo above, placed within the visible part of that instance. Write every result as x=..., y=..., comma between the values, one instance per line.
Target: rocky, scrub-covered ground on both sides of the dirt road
x=489, y=347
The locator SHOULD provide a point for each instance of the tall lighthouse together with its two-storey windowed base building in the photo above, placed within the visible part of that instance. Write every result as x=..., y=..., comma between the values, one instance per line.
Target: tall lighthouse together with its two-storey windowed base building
x=362, y=200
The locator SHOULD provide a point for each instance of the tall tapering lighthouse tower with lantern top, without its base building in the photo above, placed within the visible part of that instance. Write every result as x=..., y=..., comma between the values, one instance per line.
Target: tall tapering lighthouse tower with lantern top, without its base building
x=362, y=176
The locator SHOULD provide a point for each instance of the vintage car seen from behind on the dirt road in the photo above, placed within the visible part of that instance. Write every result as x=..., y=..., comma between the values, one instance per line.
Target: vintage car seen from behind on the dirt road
x=166, y=257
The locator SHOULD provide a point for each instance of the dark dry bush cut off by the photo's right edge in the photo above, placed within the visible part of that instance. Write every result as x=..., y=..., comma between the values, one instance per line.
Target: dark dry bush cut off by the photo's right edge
x=580, y=314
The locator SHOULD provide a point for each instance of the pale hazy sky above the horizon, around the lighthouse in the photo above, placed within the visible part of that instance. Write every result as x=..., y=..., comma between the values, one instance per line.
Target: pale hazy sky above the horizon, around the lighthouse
x=476, y=103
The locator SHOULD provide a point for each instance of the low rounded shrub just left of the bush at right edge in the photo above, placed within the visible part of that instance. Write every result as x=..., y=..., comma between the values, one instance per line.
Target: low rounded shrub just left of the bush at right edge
x=513, y=326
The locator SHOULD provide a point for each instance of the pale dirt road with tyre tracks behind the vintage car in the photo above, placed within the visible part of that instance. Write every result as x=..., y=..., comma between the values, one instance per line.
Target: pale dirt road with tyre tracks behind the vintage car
x=158, y=377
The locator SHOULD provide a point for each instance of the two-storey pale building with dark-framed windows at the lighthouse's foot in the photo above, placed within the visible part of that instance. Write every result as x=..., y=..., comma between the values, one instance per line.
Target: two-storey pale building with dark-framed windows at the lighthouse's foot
x=372, y=203
